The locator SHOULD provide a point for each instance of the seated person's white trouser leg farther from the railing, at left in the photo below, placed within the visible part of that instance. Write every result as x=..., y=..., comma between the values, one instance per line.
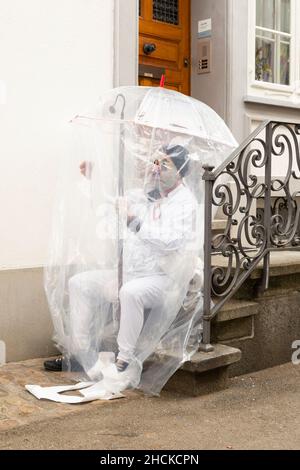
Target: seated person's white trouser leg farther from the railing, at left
x=91, y=293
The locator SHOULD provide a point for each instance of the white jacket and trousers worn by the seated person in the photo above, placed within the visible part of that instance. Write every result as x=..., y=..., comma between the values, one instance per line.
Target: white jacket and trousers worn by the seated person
x=164, y=229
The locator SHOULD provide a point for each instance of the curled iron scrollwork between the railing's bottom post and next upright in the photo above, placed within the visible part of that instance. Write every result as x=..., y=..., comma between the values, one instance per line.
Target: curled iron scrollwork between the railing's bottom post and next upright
x=235, y=191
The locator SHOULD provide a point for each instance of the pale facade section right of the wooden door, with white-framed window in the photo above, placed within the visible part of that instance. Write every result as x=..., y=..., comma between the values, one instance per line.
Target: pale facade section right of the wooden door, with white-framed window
x=255, y=61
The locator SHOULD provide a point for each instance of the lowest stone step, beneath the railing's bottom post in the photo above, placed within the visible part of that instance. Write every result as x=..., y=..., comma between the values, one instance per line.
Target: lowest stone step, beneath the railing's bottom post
x=206, y=372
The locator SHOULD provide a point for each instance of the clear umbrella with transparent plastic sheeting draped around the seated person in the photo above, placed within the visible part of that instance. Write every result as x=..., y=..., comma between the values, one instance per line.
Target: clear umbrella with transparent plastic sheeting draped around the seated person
x=124, y=279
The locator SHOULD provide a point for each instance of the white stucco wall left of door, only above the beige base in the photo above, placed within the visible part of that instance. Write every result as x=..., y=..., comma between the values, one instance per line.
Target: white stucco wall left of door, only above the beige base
x=56, y=57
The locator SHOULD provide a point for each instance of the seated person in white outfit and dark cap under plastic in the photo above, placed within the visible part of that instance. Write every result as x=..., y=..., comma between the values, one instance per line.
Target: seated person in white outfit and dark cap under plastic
x=160, y=227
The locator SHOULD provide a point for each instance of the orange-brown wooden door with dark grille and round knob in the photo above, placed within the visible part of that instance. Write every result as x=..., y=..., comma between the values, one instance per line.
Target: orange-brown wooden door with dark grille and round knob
x=164, y=43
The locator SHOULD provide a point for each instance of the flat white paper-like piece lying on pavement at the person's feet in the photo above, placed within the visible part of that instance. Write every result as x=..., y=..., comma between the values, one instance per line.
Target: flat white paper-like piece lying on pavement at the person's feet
x=90, y=391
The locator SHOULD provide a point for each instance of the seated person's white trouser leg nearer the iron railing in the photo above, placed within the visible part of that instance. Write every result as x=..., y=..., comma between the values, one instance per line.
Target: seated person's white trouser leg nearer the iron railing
x=135, y=296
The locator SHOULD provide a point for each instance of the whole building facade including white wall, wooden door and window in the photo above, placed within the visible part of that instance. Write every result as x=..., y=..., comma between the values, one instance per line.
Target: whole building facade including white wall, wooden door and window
x=242, y=58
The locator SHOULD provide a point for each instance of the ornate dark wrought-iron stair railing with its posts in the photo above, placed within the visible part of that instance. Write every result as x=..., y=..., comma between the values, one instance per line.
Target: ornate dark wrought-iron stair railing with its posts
x=261, y=209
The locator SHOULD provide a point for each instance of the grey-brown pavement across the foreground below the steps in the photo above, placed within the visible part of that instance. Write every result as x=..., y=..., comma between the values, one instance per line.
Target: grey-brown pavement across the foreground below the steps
x=258, y=411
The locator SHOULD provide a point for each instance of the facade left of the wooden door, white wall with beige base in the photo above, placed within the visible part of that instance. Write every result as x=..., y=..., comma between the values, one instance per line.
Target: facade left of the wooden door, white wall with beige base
x=56, y=59
